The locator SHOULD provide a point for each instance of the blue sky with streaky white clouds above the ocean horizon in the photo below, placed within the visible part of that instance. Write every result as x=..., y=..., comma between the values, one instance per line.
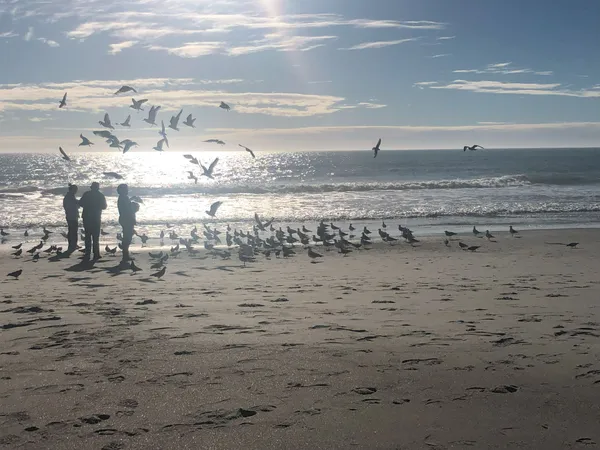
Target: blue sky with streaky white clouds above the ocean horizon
x=302, y=75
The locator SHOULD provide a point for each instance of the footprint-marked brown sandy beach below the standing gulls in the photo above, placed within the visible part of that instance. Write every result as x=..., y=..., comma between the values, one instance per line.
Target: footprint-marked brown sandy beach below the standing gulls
x=393, y=348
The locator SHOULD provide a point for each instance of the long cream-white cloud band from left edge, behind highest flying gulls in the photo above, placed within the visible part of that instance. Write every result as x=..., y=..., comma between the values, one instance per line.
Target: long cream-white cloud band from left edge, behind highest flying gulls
x=171, y=94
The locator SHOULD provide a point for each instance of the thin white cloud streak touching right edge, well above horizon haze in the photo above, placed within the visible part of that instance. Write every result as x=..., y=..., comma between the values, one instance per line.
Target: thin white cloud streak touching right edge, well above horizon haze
x=497, y=87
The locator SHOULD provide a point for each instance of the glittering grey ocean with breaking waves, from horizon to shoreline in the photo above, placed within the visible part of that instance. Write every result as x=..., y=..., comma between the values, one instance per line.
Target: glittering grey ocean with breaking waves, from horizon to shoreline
x=429, y=191
